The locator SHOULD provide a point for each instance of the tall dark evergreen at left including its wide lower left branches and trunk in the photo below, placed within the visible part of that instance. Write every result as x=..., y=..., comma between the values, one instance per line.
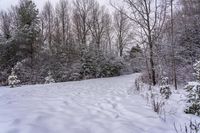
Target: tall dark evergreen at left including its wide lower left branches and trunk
x=25, y=33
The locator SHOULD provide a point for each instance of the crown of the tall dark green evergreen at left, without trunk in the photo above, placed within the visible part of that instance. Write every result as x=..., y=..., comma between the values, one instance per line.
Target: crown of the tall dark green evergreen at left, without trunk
x=27, y=28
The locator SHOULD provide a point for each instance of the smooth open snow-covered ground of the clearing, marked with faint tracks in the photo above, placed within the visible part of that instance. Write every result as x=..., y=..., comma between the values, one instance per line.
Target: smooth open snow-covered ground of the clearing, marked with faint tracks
x=91, y=106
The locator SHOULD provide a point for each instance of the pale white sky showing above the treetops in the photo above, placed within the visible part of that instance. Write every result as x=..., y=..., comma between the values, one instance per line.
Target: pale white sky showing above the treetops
x=5, y=4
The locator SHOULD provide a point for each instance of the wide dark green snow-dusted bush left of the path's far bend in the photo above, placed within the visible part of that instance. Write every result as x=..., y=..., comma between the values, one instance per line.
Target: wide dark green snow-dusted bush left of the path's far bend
x=98, y=66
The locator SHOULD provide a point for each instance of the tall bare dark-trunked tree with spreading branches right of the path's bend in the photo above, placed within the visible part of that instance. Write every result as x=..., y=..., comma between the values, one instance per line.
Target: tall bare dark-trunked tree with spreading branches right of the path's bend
x=149, y=15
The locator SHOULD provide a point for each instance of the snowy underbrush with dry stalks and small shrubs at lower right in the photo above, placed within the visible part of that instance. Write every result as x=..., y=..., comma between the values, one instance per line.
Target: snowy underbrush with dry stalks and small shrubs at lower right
x=171, y=105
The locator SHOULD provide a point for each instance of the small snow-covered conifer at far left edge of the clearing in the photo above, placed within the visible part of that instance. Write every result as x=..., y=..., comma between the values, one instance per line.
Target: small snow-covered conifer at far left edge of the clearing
x=13, y=79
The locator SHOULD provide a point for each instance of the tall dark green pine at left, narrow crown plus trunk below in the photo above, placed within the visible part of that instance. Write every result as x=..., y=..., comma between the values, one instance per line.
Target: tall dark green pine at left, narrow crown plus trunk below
x=27, y=33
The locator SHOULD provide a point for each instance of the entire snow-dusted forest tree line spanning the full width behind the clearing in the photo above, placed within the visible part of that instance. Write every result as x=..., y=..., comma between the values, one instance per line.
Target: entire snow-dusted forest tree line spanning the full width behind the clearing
x=82, y=40
